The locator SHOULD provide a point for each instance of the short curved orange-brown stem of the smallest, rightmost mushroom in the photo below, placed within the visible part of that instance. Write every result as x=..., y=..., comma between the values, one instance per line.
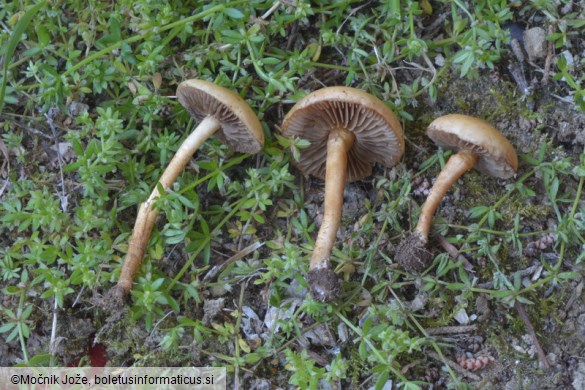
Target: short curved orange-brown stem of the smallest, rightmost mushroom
x=455, y=167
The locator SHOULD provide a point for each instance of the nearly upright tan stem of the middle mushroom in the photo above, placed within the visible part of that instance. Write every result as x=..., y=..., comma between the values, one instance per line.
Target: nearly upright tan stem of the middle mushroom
x=338, y=145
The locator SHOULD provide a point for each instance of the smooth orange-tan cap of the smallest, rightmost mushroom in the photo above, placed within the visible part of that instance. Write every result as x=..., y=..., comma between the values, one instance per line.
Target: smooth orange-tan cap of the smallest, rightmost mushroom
x=496, y=155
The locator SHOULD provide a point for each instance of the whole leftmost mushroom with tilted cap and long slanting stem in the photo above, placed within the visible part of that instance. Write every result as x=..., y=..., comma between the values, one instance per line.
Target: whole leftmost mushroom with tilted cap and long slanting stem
x=220, y=111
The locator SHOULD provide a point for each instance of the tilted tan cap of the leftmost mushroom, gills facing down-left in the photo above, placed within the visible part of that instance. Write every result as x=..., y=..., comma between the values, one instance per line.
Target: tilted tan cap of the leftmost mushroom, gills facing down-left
x=240, y=127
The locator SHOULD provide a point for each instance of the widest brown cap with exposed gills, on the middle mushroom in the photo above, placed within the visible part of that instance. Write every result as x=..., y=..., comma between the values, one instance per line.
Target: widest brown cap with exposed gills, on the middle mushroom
x=378, y=134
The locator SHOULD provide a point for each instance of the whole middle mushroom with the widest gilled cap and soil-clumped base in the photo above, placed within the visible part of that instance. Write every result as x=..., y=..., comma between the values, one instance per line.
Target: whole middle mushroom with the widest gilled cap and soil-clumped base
x=348, y=130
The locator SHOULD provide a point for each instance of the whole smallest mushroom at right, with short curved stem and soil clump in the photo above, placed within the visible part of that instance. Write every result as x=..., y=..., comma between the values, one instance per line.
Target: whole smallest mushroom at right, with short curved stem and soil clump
x=478, y=145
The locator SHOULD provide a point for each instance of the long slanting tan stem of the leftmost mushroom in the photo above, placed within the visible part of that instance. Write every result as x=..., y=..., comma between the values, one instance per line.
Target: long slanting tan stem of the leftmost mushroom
x=147, y=213
